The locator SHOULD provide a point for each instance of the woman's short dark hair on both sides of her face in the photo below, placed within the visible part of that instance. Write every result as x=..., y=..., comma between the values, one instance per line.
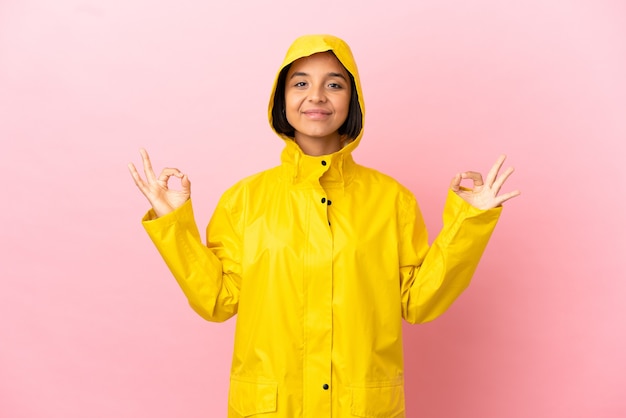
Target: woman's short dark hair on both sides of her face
x=350, y=128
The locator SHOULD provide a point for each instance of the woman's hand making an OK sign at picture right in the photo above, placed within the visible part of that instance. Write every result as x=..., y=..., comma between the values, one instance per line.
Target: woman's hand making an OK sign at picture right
x=484, y=194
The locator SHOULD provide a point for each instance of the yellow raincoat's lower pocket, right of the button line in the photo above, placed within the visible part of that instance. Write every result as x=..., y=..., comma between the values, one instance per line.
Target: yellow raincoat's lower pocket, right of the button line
x=378, y=400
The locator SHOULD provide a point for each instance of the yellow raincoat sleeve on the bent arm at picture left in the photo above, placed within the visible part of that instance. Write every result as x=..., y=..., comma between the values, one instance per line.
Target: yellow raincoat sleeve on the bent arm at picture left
x=209, y=275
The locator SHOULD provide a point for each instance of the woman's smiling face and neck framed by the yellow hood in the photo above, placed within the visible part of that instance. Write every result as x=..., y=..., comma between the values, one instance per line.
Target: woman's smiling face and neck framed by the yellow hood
x=317, y=99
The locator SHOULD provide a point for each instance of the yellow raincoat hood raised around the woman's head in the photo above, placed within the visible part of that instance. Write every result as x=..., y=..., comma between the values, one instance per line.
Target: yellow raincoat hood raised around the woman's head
x=312, y=44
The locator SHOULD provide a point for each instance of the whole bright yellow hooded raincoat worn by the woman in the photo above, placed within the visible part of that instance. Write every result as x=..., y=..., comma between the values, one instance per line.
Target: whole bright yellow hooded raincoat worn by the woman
x=320, y=258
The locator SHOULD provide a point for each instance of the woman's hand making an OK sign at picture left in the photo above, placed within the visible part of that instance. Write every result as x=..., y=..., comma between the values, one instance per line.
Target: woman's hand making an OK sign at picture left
x=163, y=199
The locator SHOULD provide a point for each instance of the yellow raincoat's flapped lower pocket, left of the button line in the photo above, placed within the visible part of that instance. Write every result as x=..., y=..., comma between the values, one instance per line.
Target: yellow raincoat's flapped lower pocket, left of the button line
x=250, y=397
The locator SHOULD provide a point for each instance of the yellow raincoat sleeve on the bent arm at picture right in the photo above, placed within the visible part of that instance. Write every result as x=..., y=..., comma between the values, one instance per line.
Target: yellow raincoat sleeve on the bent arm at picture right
x=431, y=278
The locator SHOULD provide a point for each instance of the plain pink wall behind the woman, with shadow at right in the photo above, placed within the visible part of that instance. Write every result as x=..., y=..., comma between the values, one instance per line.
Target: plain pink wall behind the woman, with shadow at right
x=93, y=325
